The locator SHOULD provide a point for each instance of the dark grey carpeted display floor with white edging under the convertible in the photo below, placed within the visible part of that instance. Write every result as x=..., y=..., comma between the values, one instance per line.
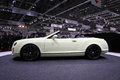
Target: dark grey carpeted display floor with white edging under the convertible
x=72, y=68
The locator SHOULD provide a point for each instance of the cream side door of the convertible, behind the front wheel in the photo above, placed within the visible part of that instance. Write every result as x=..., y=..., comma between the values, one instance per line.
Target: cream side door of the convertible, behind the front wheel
x=60, y=45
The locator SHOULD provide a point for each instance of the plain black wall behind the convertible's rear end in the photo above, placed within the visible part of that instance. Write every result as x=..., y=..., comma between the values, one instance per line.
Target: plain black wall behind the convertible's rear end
x=113, y=40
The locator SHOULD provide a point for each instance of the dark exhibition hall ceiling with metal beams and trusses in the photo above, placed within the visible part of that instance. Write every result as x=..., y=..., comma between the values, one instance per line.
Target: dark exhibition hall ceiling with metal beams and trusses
x=44, y=12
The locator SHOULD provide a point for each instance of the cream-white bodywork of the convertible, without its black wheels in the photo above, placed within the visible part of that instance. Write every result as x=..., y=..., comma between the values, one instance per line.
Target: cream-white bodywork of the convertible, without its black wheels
x=60, y=47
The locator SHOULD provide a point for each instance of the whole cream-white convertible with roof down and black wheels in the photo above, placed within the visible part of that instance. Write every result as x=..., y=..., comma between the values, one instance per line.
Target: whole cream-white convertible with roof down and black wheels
x=54, y=46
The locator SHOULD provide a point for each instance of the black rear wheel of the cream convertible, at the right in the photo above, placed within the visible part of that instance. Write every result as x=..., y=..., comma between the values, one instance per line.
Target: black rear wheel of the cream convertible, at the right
x=93, y=52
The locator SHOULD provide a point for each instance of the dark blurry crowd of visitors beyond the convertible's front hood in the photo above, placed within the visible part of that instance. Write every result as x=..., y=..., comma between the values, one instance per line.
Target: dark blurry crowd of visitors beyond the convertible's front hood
x=7, y=39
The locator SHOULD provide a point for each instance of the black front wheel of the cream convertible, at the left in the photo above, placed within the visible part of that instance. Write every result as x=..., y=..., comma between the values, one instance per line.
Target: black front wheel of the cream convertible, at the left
x=30, y=52
